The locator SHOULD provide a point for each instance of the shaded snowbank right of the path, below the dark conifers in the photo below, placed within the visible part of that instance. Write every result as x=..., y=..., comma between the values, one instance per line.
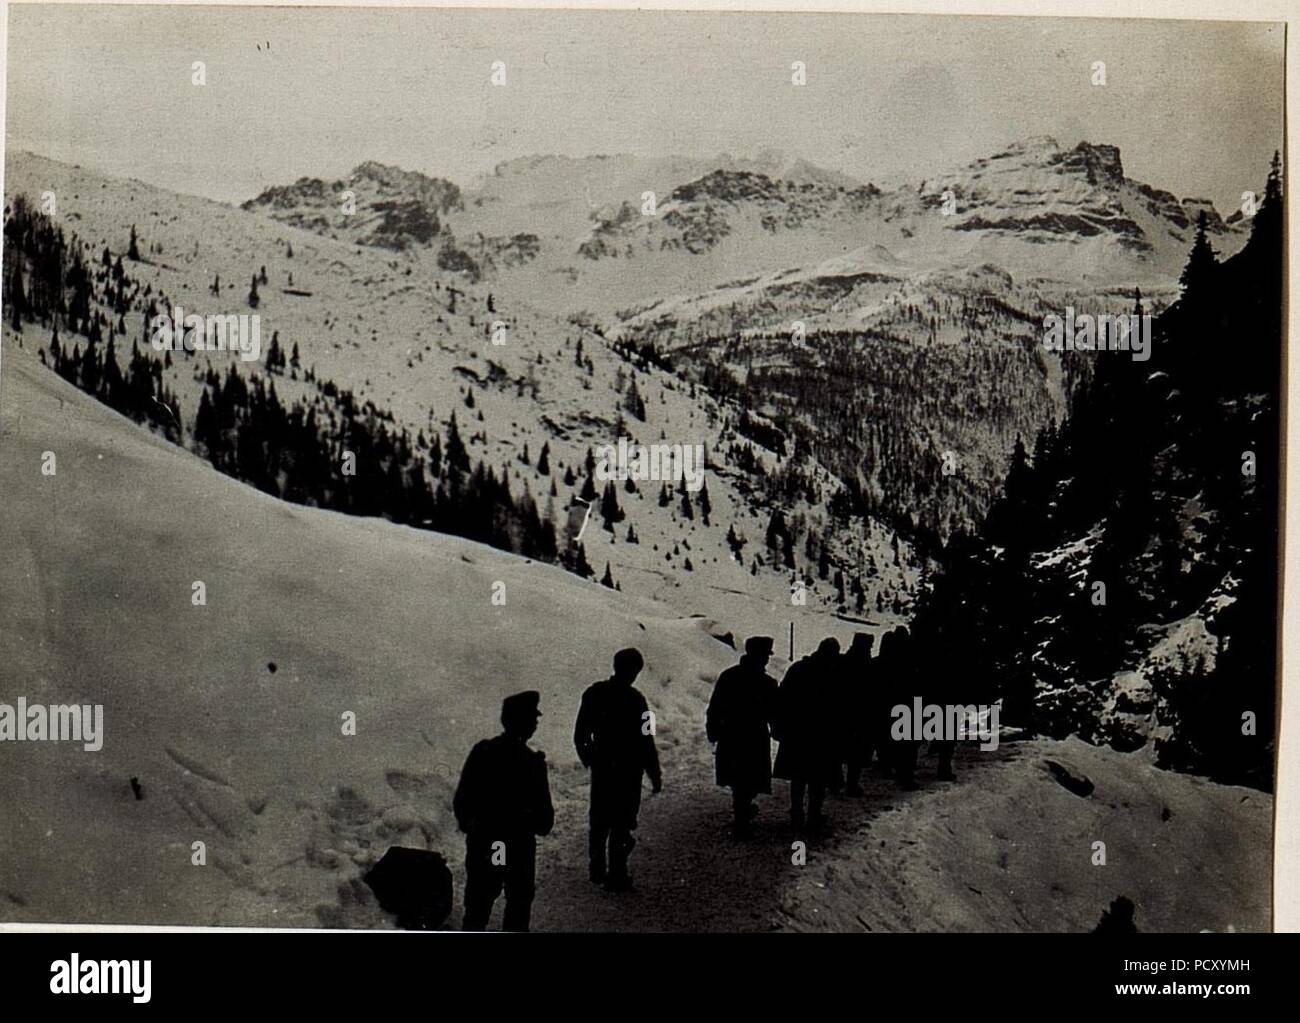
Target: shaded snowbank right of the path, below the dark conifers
x=1012, y=848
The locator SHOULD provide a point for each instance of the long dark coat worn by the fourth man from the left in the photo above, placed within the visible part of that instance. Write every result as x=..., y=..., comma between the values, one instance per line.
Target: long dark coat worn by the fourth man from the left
x=807, y=721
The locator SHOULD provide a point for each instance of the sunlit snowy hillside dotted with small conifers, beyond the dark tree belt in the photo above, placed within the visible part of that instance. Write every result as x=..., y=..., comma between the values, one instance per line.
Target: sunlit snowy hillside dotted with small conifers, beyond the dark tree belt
x=417, y=340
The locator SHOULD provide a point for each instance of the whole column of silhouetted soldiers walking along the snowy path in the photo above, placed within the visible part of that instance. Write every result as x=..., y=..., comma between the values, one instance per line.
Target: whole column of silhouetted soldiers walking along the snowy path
x=830, y=716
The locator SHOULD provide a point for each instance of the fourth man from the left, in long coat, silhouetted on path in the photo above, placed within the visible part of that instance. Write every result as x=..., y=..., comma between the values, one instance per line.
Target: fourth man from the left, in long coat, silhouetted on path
x=805, y=727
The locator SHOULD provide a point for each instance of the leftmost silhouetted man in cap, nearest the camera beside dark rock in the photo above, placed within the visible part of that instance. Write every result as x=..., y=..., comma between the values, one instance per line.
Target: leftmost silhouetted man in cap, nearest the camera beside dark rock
x=504, y=804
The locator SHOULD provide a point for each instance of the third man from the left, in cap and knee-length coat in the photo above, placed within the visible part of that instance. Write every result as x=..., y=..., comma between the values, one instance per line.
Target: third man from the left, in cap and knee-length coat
x=740, y=717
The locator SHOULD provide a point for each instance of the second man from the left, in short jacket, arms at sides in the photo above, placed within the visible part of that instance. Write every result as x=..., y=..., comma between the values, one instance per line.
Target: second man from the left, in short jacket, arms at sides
x=616, y=739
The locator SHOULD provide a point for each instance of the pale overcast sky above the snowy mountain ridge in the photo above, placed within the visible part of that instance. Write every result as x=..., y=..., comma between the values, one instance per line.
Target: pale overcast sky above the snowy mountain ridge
x=1195, y=107
